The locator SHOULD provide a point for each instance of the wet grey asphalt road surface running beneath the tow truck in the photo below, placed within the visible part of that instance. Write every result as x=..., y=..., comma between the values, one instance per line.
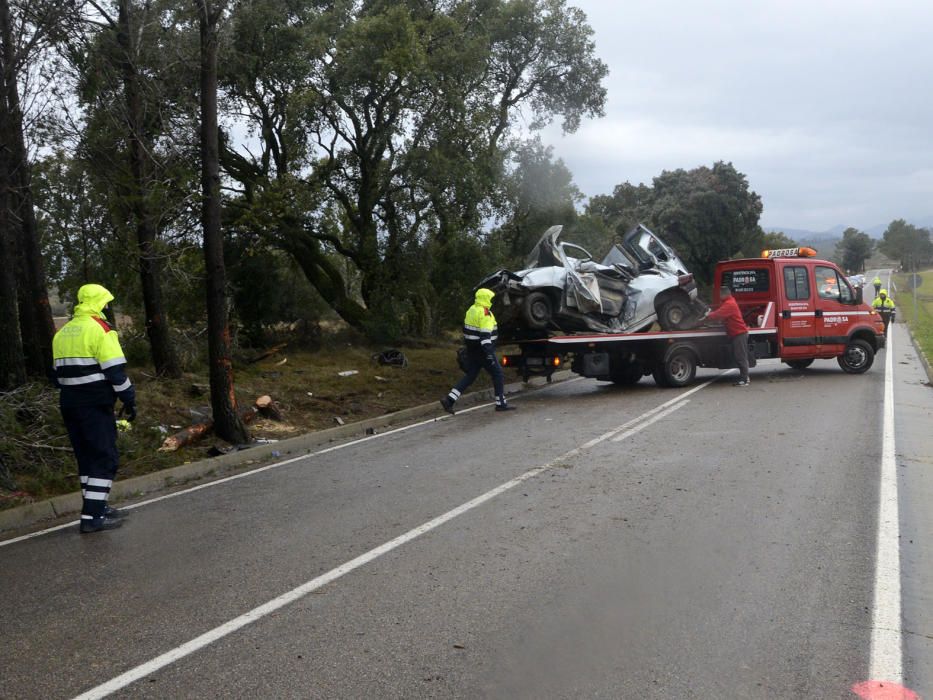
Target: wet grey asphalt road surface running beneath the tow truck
x=724, y=550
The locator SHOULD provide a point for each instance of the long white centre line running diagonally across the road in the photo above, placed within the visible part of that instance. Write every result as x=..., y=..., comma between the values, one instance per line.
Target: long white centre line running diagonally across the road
x=169, y=657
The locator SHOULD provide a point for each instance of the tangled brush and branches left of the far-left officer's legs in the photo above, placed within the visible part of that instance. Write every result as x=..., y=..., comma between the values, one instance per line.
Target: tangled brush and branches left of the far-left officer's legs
x=34, y=447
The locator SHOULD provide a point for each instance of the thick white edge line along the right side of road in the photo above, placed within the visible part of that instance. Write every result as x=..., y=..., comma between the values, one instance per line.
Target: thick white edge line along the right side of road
x=885, y=658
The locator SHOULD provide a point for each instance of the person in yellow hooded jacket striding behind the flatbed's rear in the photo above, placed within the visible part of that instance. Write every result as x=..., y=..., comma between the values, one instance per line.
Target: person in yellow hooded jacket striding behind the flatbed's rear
x=480, y=334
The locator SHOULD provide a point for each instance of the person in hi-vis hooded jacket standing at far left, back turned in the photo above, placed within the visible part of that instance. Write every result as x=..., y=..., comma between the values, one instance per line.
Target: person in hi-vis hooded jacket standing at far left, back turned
x=90, y=371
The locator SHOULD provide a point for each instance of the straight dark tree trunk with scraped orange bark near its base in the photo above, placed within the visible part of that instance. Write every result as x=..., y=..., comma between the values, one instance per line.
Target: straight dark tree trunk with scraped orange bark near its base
x=227, y=422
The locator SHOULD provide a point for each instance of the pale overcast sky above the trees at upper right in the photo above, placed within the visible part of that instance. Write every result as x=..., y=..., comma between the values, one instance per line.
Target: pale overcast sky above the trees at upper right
x=825, y=105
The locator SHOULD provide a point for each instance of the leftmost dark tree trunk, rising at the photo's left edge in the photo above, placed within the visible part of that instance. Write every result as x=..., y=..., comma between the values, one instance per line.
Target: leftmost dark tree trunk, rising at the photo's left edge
x=35, y=315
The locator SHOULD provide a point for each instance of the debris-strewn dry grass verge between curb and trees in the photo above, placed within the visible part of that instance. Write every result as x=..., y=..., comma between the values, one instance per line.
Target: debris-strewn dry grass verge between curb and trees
x=306, y=385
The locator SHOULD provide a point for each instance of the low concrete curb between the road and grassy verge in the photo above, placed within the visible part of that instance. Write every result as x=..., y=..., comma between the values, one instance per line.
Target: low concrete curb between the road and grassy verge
x=175, y=478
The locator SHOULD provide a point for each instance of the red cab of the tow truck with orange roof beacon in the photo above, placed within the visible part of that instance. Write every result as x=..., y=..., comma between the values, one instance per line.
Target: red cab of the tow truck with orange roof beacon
x=816, y=312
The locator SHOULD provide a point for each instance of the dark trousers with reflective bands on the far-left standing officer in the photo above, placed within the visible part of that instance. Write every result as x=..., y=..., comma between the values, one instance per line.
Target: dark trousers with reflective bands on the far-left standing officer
x=93, y=434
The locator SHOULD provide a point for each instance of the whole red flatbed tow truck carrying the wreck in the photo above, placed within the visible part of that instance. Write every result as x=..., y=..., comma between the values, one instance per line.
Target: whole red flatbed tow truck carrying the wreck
x=798, y=309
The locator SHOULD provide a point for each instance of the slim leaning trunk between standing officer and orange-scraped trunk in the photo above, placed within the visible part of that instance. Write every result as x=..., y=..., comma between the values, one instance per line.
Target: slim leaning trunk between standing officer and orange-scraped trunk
x=163, y=354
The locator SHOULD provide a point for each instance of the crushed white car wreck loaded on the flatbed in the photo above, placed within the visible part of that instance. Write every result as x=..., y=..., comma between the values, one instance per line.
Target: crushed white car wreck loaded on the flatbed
x=641, y=281
